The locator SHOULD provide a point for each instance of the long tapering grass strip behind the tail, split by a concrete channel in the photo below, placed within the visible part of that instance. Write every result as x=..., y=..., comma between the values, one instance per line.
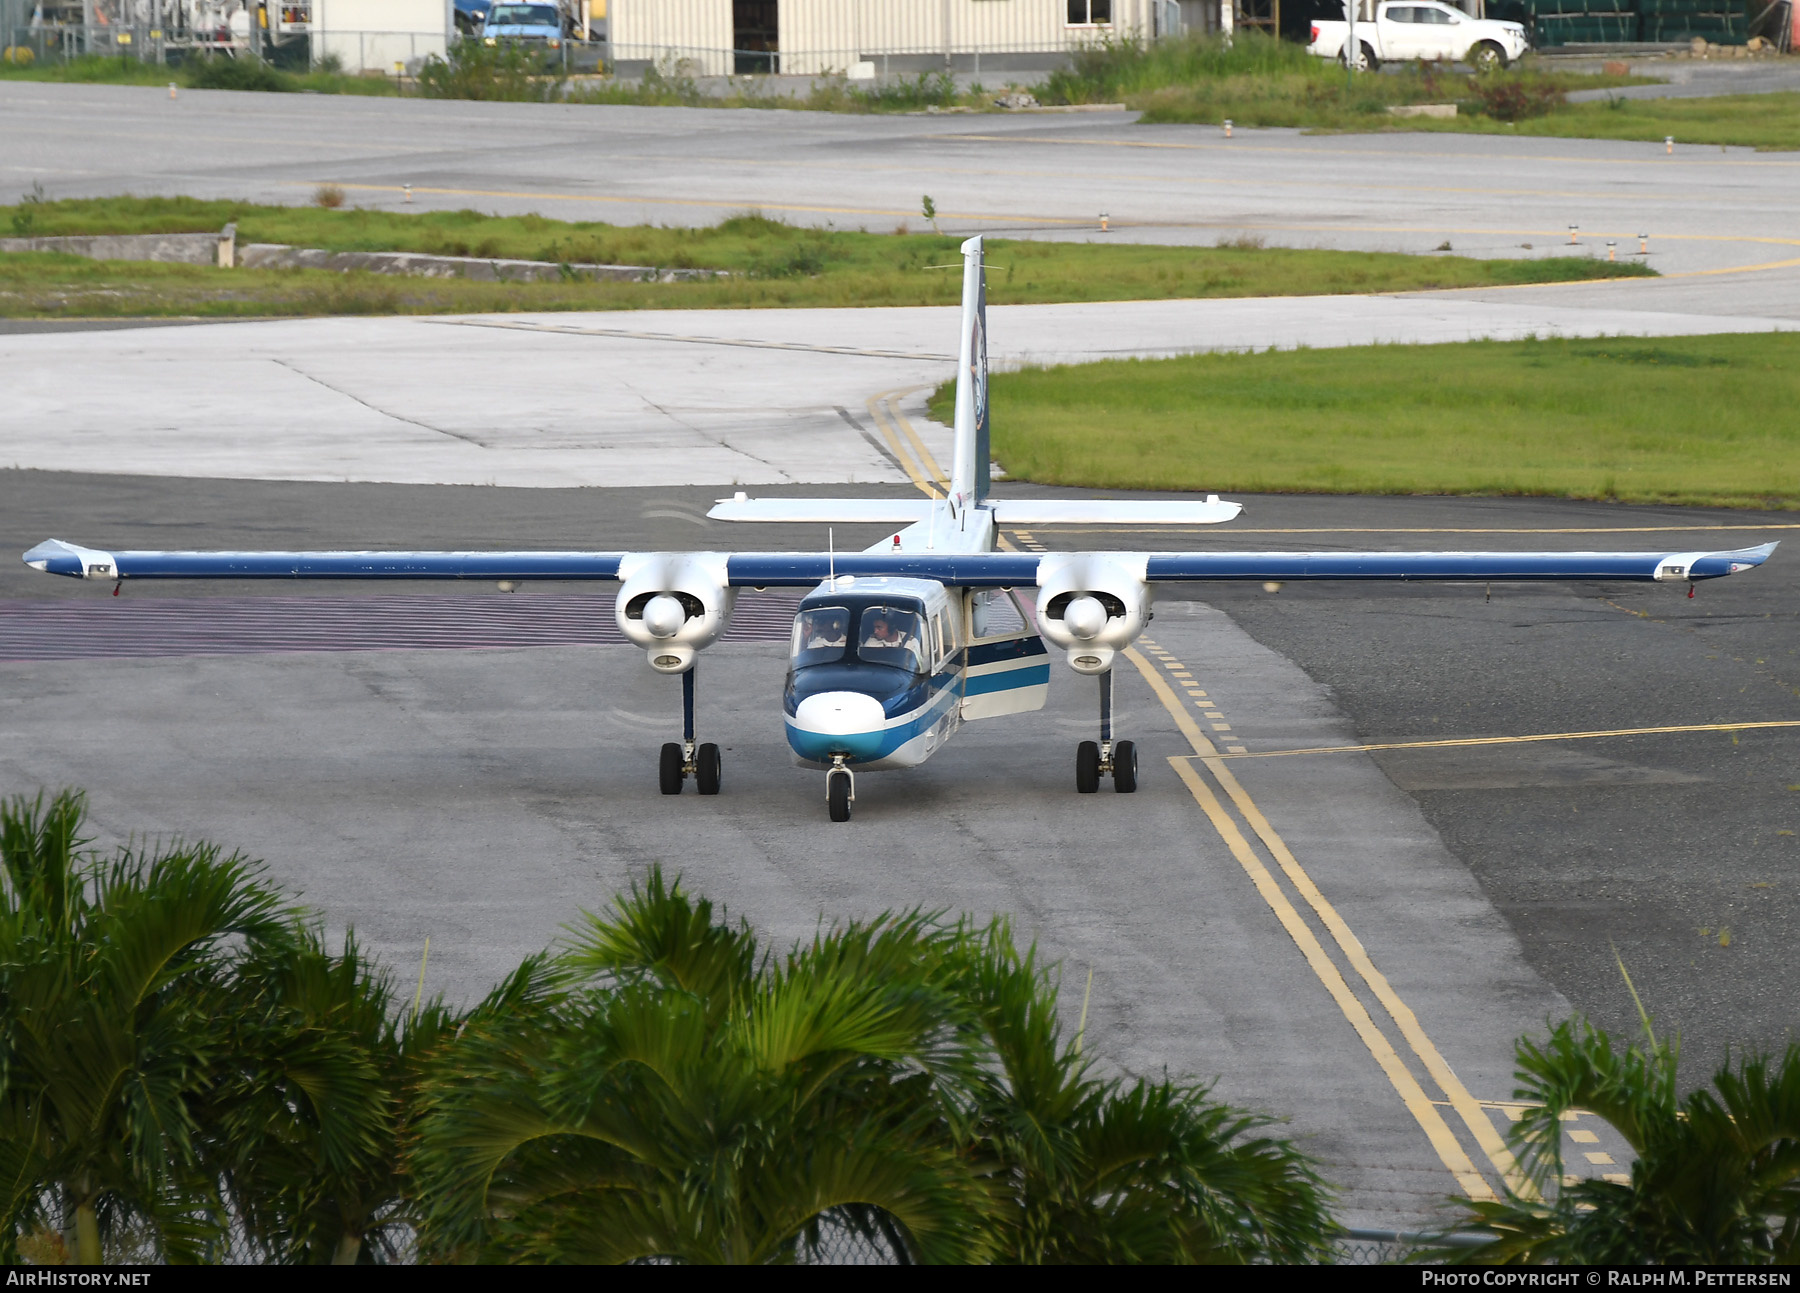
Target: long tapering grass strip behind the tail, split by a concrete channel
x=773, y=266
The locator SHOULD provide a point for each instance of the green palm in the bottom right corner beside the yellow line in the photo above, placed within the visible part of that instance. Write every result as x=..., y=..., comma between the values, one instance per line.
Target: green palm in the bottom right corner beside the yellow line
x=1716, y=1177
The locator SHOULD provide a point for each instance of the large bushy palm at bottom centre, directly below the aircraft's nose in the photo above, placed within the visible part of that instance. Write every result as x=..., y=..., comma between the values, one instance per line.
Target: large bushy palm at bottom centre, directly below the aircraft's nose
x=665, y=1092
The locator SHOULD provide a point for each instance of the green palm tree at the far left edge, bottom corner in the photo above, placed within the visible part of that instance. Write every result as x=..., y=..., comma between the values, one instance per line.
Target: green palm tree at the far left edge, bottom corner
x=111, y=973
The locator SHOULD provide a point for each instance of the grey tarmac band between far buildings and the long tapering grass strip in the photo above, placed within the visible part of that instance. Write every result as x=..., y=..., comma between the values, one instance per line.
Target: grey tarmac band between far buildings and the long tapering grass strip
x=1025, y=176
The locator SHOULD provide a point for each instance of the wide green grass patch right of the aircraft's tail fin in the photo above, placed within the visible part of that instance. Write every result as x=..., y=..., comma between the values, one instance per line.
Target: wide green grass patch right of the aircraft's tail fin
x=1691, y=420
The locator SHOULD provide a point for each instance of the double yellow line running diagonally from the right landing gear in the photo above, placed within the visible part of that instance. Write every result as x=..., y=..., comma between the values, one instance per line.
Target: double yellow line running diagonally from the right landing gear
x=1468, y=1108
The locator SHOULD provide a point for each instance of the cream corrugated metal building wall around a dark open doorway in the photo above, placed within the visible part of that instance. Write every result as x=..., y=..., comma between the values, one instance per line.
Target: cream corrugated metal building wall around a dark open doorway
x=831, y=35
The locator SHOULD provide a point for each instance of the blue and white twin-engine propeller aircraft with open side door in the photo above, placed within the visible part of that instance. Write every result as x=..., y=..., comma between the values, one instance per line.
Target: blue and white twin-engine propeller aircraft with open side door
x=899, y=646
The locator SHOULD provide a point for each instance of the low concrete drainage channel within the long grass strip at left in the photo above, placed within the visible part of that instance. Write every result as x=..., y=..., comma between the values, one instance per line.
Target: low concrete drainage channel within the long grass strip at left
x=222, y=249
